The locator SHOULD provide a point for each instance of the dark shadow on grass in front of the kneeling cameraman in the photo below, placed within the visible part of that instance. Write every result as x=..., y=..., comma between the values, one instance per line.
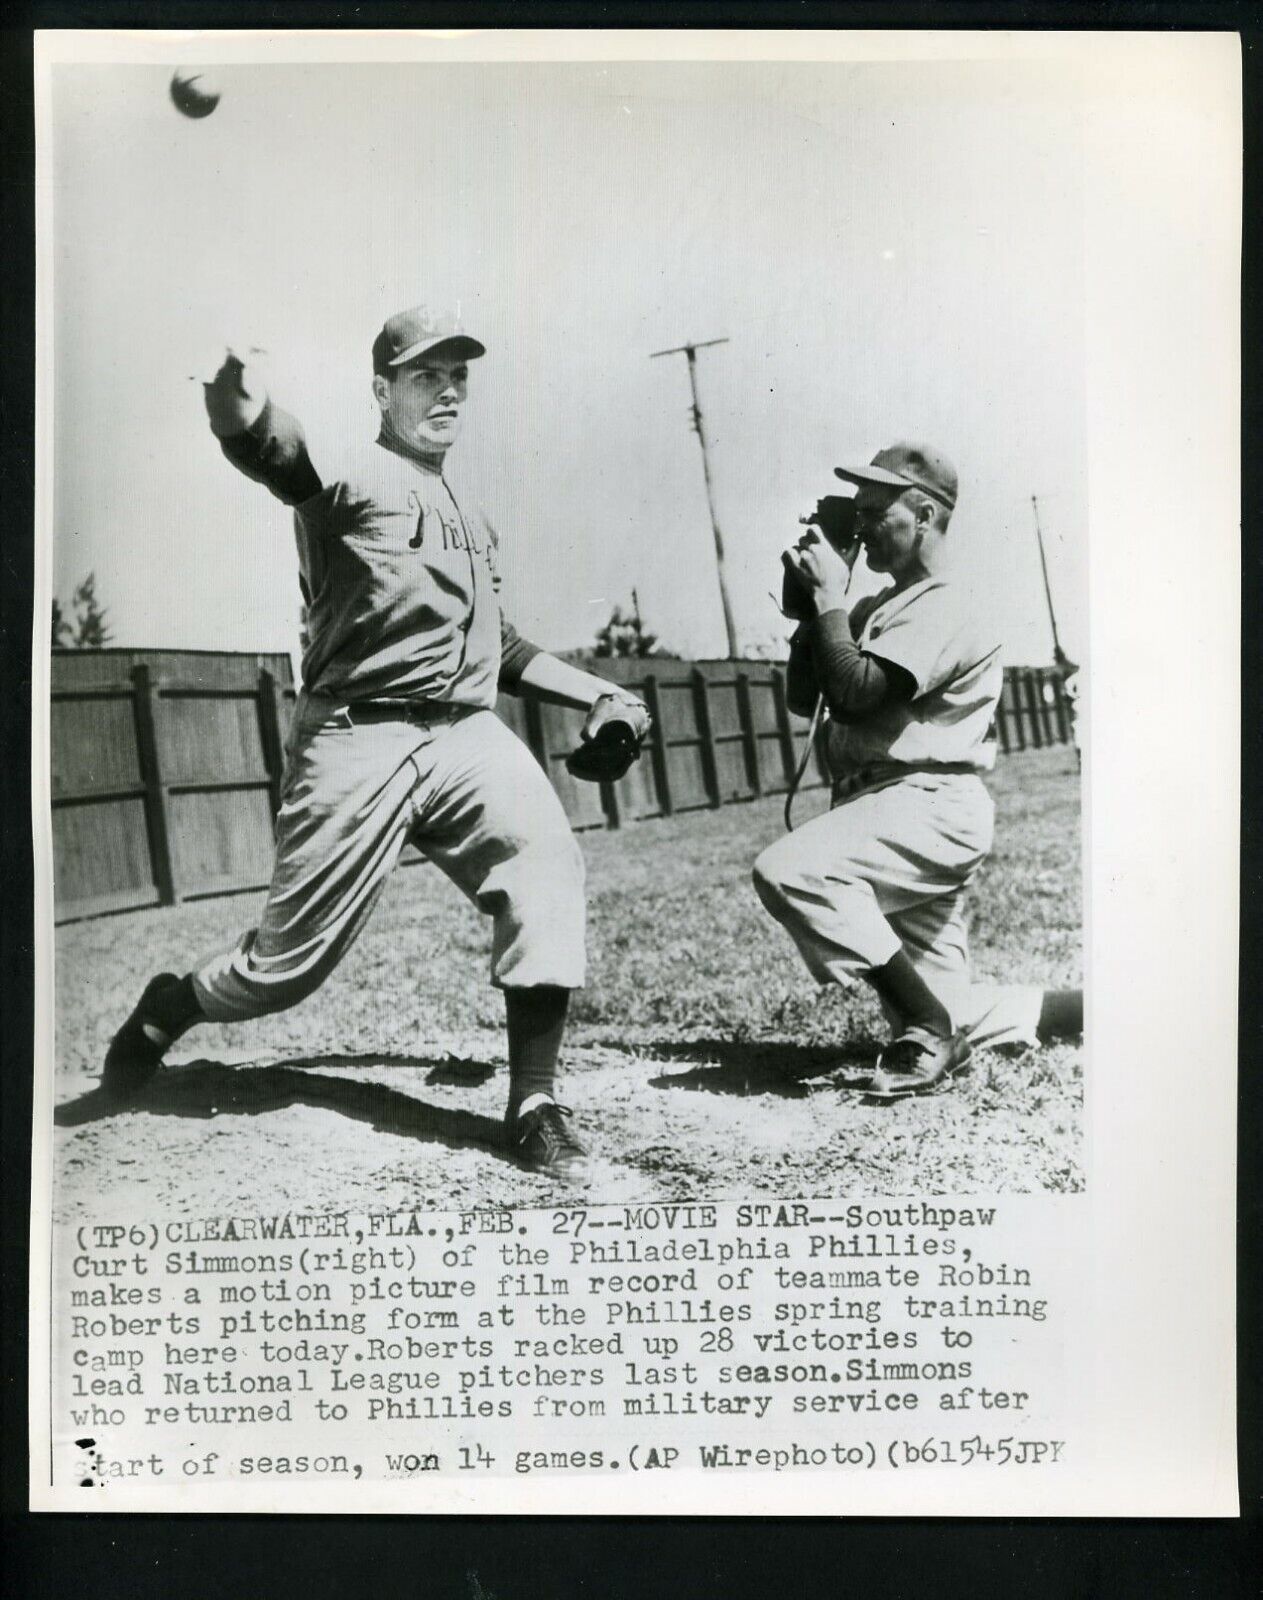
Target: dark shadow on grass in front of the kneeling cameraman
x=734, y=1066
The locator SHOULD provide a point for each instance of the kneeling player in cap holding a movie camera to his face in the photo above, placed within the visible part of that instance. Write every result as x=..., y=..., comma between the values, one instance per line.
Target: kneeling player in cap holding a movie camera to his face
x=912, y=679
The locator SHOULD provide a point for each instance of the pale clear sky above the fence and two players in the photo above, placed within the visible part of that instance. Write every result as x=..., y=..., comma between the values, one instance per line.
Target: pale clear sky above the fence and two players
x=891, y=250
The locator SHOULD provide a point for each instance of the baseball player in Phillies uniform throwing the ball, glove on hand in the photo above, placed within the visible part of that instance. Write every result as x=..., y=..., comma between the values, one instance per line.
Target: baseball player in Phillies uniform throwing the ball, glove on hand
x=395, y=734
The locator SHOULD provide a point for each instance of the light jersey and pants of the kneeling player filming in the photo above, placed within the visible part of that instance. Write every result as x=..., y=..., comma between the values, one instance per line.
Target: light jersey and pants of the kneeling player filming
x=912, y=820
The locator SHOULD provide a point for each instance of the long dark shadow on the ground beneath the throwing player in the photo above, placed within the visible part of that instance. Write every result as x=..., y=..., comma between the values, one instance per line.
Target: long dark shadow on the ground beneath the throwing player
x=210, y=1089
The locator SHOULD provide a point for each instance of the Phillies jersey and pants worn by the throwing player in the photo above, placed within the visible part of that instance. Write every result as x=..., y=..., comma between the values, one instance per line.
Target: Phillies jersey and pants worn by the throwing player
x=395, y=735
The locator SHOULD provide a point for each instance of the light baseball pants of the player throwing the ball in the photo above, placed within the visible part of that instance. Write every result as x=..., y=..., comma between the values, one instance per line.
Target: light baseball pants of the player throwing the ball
x=468, y=794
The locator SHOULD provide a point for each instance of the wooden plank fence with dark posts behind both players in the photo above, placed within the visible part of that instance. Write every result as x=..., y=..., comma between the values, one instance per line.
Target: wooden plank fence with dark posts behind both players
x=167, y=766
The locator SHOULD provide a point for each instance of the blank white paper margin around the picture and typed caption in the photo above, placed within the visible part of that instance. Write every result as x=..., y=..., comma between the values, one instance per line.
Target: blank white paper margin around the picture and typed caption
x=1163, y=180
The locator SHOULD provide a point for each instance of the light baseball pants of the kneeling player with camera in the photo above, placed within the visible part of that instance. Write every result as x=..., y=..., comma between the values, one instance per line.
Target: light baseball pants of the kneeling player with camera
x=888, y=870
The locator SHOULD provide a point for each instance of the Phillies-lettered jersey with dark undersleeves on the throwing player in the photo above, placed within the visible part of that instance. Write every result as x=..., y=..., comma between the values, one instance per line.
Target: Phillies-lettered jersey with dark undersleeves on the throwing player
x=399, y=580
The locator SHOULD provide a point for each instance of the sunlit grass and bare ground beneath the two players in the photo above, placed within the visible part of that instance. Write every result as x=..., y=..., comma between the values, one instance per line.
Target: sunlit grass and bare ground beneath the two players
x=702, y=1060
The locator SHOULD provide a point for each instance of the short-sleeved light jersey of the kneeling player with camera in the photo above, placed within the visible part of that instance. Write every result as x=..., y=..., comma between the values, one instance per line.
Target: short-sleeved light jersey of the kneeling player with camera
x=955, y=665
